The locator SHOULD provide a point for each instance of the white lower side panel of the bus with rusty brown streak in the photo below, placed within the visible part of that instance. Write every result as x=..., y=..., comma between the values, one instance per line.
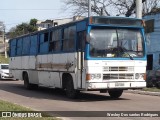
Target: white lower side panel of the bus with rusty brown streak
x=46, y=70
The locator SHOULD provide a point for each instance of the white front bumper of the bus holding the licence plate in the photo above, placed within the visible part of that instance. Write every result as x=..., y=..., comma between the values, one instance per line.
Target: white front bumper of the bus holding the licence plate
x=115, y=85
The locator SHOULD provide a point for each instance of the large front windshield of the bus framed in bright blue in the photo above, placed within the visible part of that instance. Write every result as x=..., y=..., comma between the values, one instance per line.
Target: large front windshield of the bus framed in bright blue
x=116, y=43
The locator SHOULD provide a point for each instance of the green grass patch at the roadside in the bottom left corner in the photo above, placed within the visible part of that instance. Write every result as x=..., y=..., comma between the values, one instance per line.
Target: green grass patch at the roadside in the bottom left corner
x=7, y=106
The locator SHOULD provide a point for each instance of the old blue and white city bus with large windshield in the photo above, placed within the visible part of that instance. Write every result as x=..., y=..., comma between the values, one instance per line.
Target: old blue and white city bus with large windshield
x=106, y=54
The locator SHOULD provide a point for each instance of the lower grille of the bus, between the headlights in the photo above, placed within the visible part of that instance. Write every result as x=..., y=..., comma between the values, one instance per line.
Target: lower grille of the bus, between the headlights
x=118, y=76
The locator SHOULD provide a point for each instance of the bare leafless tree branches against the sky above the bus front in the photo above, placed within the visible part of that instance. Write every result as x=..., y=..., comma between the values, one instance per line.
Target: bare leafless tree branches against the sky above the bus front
x=110, y=7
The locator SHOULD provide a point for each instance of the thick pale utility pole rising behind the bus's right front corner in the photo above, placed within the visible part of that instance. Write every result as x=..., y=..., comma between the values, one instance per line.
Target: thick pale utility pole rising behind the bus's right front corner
x=139, y=9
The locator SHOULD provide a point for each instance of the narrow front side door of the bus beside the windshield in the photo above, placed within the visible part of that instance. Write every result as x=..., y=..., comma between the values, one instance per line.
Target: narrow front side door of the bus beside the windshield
x=80, y=58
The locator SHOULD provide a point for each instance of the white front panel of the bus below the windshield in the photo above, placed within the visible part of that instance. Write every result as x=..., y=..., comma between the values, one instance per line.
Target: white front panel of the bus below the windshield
x=116, y=71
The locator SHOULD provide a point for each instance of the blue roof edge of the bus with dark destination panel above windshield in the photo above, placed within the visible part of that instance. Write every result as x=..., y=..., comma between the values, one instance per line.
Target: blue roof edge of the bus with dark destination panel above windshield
x=99, y=20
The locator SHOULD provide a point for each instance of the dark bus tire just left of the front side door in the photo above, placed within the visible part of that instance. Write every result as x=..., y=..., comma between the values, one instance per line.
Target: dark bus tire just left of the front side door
x=70, y=91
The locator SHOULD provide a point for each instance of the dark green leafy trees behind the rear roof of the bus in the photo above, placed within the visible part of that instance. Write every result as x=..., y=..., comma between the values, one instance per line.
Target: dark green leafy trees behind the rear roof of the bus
x=23, y=28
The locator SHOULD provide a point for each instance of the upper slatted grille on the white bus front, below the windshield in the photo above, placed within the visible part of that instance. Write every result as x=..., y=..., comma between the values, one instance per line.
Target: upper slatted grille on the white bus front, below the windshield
x=105, y=69
